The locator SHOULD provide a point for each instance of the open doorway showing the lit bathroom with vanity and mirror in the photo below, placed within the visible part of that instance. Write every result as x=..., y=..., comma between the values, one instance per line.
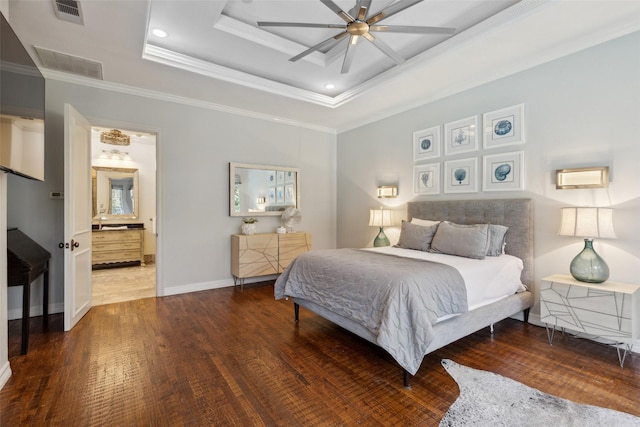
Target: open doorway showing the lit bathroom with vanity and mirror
x=123, y=215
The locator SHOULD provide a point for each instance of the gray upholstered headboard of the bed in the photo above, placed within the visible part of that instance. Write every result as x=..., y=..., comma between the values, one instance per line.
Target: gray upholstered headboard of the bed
x=517, y=214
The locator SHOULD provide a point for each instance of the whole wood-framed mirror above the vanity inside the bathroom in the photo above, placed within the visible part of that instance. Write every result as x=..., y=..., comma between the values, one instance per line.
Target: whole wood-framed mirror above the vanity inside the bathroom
x=114, y=193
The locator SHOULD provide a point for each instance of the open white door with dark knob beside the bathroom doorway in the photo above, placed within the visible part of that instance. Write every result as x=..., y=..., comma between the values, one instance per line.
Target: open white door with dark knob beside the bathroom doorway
x=77, y=216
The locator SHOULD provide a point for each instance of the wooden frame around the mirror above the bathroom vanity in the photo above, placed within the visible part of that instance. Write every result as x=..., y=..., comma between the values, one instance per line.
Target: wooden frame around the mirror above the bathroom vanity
x=108, y=173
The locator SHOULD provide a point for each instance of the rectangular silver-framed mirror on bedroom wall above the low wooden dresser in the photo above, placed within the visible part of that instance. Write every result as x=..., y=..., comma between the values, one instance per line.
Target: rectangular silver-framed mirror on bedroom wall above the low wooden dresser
x=262, y=190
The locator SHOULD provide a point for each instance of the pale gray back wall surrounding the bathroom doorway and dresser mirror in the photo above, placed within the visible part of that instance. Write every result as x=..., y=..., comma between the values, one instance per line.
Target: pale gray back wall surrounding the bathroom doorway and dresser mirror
x=195, y=146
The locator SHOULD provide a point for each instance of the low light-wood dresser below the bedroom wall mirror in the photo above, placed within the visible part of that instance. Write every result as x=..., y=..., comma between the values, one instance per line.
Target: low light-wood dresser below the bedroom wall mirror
x=265, y=254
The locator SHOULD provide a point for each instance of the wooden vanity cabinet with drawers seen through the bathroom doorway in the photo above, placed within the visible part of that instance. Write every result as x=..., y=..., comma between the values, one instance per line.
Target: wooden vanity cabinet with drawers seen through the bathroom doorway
x=117, y=246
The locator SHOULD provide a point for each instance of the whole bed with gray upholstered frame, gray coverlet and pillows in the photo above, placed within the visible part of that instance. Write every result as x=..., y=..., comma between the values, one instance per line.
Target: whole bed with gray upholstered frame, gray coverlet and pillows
x=387, y=303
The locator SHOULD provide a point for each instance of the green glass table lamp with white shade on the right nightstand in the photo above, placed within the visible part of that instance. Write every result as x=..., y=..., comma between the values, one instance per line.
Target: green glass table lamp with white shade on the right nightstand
x=588, y=223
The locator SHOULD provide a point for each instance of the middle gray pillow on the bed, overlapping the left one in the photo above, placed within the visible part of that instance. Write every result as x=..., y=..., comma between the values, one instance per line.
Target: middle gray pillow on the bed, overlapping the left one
x=468, y=241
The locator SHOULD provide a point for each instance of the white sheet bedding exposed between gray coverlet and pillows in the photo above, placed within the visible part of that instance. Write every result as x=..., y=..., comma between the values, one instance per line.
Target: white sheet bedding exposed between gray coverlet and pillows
x=487, y=280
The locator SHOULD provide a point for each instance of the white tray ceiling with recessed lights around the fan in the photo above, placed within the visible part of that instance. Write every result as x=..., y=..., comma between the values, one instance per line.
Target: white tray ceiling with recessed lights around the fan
x=216, y=54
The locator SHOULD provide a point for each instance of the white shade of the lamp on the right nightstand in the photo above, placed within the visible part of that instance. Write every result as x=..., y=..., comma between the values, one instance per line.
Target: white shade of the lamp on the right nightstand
x=587, y=222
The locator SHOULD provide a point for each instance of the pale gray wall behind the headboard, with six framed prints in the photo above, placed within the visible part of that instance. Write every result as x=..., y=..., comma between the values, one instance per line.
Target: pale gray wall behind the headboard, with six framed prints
x=581, y=110
